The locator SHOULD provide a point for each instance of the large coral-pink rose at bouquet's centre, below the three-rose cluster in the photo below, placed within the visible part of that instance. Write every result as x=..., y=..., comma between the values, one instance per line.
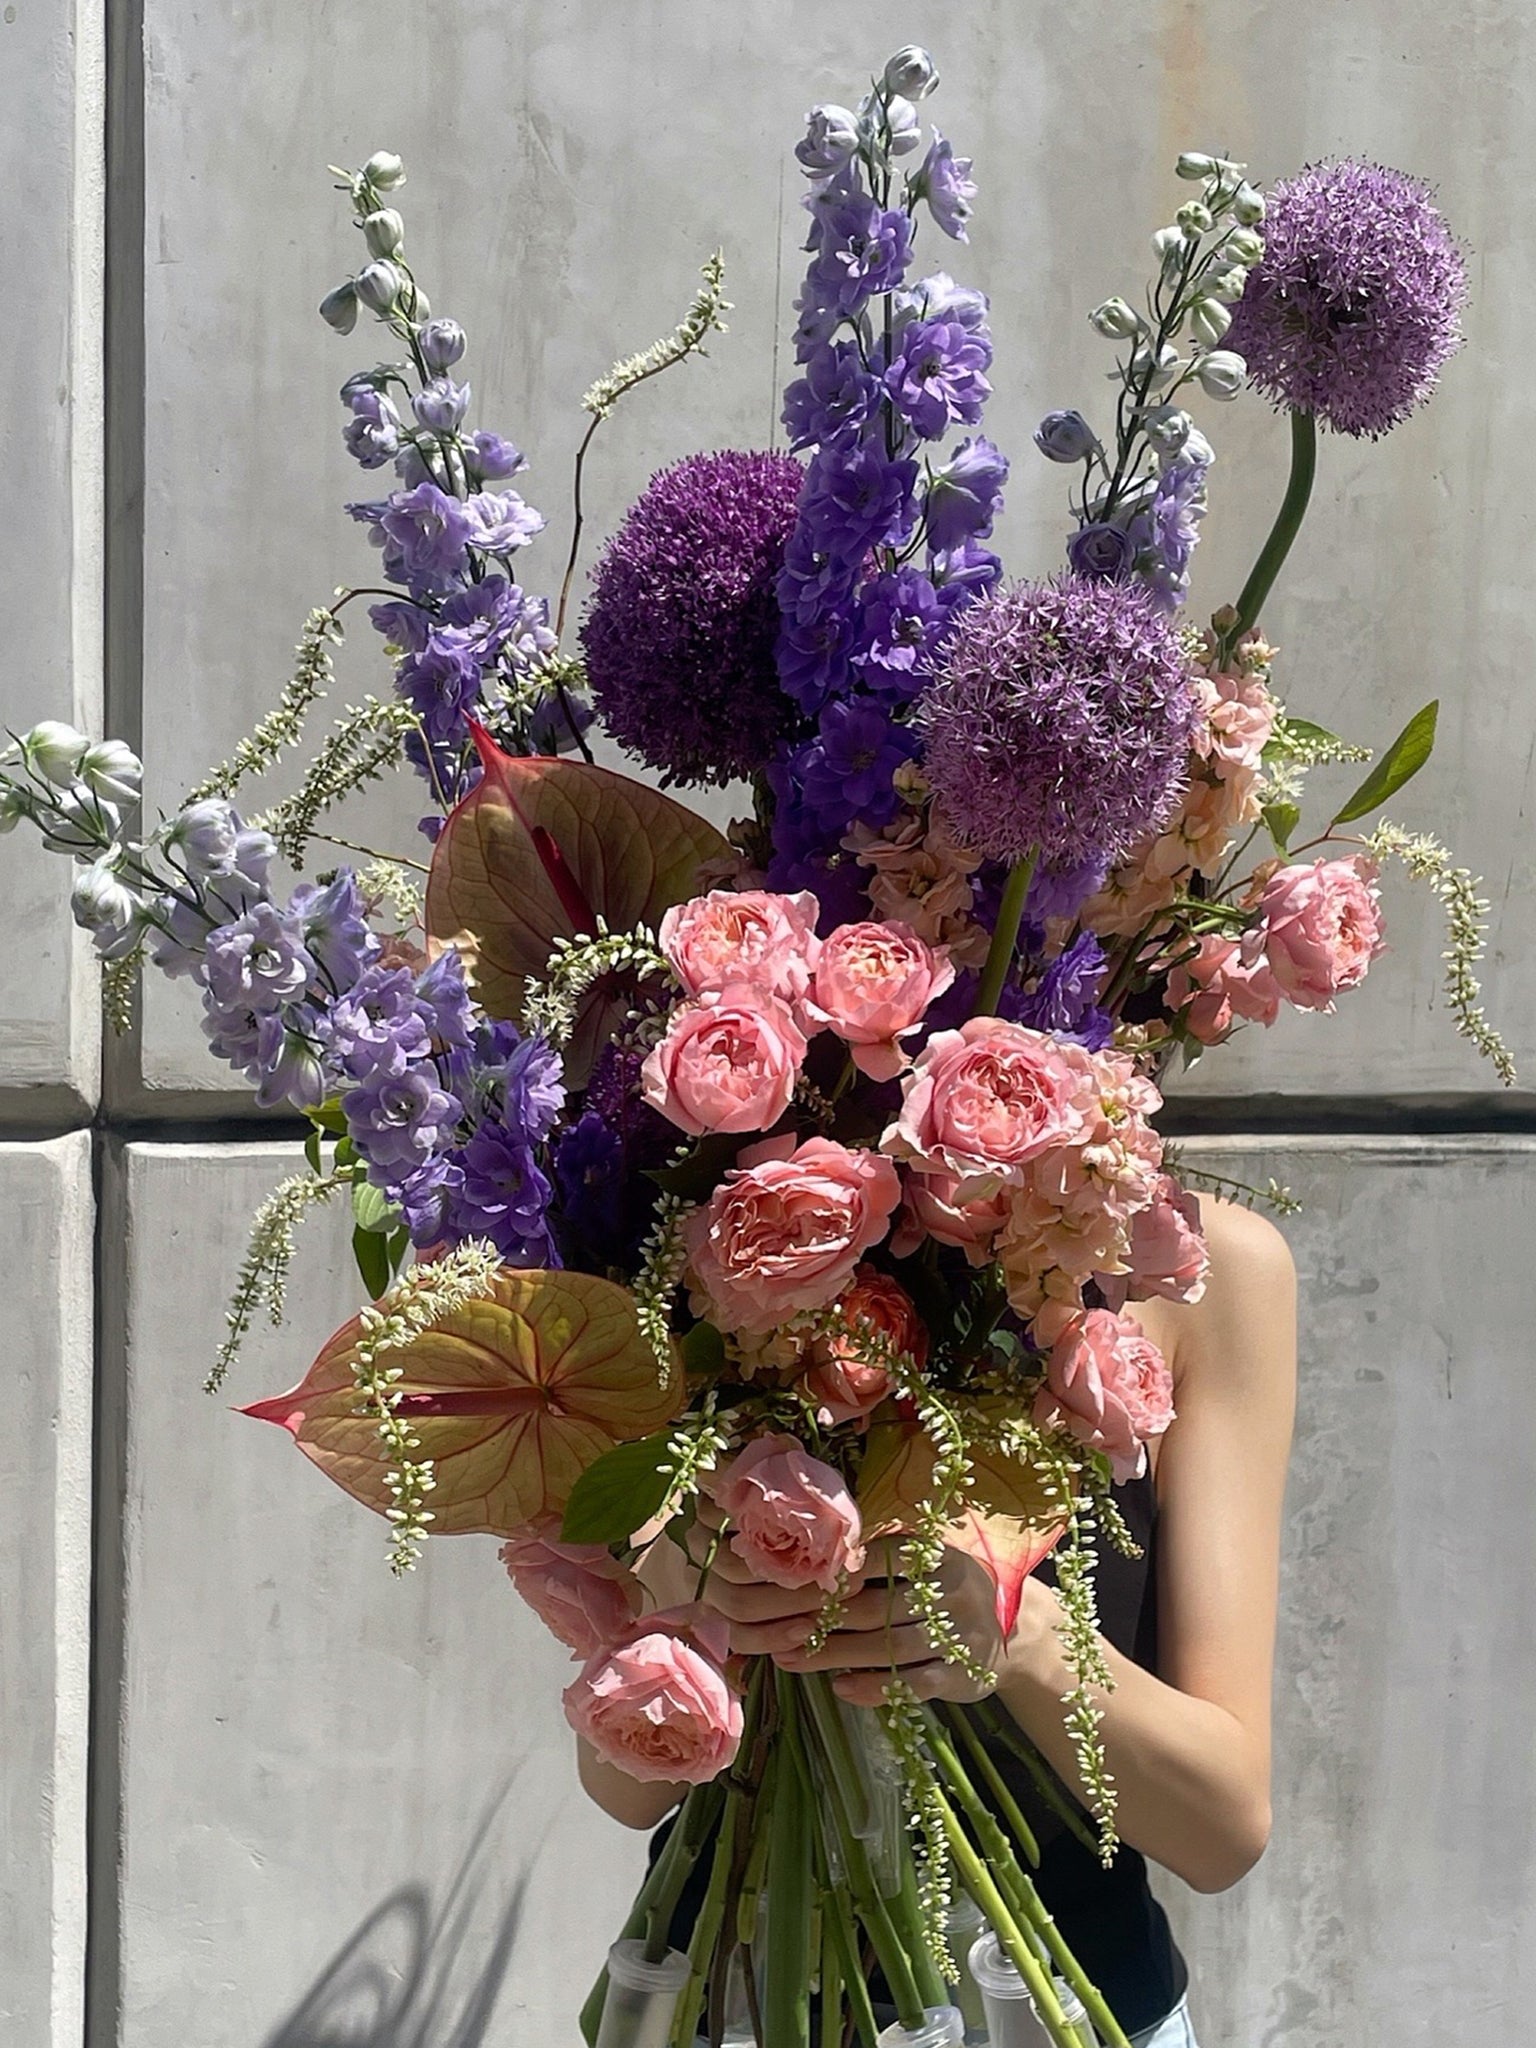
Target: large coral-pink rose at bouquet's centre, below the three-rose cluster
x=787, y=1230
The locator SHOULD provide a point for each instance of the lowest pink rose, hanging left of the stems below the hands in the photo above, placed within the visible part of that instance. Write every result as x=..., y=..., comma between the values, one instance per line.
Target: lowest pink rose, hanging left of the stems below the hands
x=660, y=1705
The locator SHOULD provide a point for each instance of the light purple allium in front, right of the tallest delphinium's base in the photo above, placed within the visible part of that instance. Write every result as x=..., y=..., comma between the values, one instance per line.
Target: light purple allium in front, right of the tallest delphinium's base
x=1058, y=722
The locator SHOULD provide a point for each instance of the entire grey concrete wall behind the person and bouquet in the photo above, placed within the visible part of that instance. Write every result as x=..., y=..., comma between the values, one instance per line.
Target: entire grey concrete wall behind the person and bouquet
x=329, y=1807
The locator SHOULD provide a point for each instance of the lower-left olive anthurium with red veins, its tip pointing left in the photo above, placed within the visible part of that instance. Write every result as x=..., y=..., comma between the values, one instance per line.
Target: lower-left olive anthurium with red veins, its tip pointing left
x=511, y=1398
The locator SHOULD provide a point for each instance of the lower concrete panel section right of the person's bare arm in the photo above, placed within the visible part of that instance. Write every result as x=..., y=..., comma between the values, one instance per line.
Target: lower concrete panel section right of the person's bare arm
x=1396, y=1902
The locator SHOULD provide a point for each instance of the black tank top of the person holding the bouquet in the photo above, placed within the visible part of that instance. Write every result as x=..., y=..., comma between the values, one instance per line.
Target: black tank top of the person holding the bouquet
x=1109, y=1918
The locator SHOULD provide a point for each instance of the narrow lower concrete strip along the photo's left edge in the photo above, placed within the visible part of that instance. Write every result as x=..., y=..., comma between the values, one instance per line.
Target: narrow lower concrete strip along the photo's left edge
x=46, y=1222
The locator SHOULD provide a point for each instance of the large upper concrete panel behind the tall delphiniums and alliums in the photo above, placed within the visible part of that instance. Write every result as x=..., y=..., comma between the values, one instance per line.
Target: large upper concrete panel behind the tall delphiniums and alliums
x=570, y=167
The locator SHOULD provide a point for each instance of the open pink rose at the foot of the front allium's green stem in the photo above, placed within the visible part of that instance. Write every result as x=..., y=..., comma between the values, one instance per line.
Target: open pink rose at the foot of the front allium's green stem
x=984, y=1101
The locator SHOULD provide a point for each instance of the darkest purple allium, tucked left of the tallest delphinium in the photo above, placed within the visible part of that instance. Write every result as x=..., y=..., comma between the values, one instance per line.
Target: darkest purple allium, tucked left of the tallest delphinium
x=683, y=624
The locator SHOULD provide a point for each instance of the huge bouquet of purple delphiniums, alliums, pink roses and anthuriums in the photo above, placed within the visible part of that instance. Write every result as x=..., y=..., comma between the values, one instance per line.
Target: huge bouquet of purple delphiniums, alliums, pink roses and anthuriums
x=785, y=1195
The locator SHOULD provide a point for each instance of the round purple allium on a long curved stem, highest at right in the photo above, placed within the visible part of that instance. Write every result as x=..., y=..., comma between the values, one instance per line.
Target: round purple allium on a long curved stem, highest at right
x=1357, y=302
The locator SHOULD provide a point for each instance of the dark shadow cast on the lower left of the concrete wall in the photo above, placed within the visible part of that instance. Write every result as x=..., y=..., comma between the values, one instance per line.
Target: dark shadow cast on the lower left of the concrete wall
x=411, y=1977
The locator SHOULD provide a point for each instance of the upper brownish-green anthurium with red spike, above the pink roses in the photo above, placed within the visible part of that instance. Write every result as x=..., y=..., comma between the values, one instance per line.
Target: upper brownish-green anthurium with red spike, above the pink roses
x=540, y=851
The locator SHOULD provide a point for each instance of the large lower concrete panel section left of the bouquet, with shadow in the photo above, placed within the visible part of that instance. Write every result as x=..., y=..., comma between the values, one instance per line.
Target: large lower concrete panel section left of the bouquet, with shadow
x=349, y=1805
